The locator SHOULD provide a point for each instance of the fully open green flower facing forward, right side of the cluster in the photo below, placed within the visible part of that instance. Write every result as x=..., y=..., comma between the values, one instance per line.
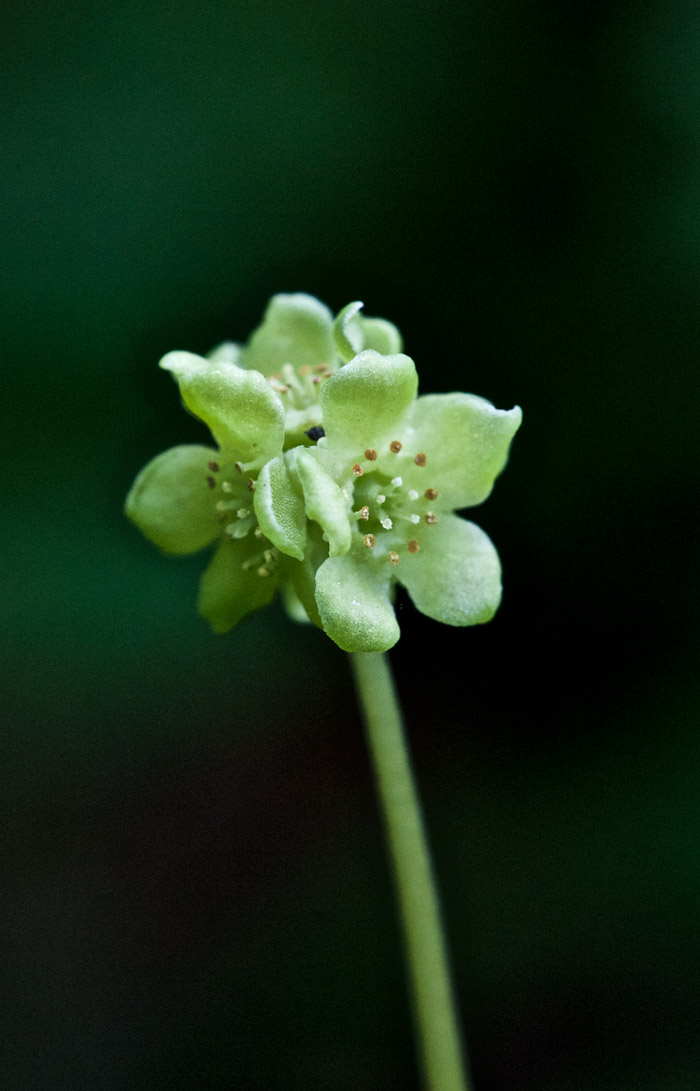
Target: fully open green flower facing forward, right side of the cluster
x=381, y=489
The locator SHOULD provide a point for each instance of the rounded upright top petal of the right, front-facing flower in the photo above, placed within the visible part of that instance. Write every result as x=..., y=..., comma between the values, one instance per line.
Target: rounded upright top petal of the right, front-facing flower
x=365, y=402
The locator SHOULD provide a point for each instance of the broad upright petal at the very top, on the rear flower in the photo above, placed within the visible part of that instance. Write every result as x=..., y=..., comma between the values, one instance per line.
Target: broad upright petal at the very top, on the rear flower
x=297, y=330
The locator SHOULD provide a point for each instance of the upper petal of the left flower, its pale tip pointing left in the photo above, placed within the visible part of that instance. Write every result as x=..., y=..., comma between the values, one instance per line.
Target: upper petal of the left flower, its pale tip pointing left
x=240, y=407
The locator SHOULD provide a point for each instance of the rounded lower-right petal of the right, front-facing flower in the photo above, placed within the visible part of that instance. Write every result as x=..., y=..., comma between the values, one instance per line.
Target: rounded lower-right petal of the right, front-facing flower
x=456, y=577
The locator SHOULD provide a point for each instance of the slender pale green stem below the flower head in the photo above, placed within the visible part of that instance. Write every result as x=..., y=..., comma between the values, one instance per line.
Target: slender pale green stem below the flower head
x=433, y=1000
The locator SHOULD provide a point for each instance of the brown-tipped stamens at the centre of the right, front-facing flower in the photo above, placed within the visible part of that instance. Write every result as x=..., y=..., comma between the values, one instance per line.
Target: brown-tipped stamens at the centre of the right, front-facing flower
x=406, y=506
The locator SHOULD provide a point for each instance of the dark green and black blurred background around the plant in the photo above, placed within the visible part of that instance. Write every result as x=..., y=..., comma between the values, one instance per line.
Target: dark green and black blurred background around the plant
x=196, y=892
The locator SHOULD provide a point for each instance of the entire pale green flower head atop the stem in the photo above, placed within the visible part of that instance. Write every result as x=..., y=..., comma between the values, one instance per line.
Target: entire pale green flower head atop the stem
x=331, y=481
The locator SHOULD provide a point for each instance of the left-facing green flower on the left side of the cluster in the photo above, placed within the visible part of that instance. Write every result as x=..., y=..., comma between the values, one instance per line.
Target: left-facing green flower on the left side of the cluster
x=192, y=497
